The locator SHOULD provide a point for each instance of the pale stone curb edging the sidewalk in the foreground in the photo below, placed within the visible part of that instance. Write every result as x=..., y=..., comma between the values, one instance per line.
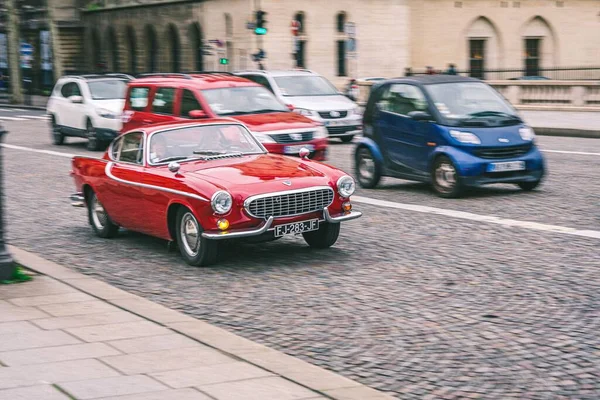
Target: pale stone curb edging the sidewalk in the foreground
x=319, y=380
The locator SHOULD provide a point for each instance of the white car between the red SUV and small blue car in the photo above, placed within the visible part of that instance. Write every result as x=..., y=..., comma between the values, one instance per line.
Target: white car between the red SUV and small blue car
x=311, y=95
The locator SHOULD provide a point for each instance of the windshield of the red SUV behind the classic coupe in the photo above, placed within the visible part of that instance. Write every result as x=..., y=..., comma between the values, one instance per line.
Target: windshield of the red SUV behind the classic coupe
x=243, y=100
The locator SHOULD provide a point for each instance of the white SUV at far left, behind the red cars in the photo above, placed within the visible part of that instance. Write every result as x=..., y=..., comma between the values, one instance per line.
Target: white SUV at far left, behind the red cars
x=88, y=106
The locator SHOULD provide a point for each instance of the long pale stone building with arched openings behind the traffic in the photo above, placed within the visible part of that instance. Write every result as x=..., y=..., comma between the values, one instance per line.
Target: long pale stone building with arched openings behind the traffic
x=184, y=35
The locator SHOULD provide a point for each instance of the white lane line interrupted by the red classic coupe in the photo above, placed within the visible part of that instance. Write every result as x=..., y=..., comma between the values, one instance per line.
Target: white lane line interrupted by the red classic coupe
x=416, y=208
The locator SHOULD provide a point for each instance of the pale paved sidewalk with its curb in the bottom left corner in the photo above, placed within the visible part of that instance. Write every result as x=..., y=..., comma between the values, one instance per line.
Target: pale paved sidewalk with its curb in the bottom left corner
x=68, y=336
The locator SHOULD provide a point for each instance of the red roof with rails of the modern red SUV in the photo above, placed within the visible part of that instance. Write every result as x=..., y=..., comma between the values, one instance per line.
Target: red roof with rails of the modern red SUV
x=201, y=80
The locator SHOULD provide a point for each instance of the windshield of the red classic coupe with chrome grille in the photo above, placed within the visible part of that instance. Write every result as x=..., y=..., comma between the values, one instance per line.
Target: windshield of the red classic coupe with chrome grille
x=202, y=142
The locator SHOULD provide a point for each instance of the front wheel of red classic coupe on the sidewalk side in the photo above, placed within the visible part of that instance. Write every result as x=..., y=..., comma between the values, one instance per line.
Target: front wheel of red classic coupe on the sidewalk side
x=195, y=249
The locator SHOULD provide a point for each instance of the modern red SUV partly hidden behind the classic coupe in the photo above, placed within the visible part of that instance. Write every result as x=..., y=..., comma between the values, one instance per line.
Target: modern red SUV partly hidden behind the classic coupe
x=157, y=98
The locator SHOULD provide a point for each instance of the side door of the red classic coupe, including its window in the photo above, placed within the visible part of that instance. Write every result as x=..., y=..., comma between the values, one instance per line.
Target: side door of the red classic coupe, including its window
x=123, y=196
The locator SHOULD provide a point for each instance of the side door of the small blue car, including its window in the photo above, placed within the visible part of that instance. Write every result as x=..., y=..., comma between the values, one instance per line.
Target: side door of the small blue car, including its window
x=405, y=140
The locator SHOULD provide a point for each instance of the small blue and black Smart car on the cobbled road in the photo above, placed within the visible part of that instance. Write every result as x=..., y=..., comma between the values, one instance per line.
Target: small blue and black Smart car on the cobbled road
x=451, y=131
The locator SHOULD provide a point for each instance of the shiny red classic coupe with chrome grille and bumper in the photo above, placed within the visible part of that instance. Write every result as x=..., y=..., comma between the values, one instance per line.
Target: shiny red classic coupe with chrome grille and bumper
x=198, y=182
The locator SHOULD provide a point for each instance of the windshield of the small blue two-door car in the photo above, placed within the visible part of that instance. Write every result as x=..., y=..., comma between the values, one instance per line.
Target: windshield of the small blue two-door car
x=471, y=104
